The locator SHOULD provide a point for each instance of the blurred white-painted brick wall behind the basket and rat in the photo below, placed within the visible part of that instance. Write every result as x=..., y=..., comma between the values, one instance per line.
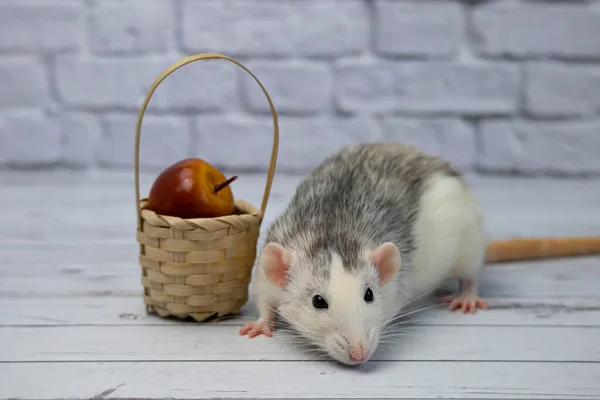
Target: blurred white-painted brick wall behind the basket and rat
x=494, y=86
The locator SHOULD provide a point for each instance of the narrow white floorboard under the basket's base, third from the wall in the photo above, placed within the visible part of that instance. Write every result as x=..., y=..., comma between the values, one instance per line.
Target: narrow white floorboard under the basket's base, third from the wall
x=113, y=310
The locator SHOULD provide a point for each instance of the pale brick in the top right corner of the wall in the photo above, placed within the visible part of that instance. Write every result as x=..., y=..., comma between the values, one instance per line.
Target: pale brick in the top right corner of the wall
x=537, y=29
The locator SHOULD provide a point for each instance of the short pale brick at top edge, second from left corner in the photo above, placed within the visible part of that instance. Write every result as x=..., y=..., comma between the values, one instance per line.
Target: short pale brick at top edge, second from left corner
x=132, y=27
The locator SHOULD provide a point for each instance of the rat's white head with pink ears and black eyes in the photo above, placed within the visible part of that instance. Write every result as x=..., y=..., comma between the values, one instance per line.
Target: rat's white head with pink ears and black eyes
x=338, y=307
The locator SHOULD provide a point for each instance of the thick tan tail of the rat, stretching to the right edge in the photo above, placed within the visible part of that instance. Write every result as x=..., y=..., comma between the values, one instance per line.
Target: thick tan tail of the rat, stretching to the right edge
x=538, y=248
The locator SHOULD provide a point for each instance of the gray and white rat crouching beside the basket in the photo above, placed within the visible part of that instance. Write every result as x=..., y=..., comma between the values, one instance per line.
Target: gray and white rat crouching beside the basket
x=372, y=227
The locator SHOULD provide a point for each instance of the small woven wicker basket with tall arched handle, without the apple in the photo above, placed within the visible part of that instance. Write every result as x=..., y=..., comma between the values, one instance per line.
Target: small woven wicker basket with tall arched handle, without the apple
x=198, y=268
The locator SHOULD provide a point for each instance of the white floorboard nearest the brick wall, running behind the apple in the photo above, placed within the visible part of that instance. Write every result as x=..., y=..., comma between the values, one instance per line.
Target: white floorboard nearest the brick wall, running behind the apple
x=64, y=217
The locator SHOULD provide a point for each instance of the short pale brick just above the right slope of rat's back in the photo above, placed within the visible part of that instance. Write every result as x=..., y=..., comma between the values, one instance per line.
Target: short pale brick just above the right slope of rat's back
x=449, y=138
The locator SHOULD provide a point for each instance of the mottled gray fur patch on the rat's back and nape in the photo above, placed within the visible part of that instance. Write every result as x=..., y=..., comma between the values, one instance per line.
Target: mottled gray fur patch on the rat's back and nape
x=357, y=199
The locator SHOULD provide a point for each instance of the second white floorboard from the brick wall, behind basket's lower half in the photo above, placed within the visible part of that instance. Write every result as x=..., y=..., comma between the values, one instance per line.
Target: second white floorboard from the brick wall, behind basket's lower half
x=58, y=272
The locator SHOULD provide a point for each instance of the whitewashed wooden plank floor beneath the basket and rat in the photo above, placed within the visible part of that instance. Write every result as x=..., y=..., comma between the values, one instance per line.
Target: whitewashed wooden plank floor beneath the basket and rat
x=73, y=324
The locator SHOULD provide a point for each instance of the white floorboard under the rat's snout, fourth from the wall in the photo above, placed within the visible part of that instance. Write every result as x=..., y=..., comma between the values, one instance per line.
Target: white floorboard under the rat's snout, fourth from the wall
x=214, y=343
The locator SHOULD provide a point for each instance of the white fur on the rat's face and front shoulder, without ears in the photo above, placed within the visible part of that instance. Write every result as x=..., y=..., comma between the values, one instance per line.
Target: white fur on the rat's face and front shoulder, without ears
x=347, y=323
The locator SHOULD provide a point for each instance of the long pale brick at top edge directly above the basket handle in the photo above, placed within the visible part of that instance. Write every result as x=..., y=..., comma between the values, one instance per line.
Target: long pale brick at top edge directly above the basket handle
x=275, y=27
